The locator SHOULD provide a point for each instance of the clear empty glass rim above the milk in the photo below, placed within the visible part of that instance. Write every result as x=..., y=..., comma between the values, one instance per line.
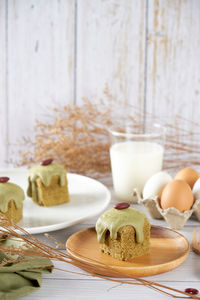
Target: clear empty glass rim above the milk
x=138, y=135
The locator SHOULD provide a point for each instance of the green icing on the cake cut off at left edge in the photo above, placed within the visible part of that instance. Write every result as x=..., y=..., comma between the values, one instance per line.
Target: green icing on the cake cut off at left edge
x=10, y=191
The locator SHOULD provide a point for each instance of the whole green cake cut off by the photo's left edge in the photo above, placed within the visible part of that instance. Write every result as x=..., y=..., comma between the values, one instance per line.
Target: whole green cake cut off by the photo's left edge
x=11, y=200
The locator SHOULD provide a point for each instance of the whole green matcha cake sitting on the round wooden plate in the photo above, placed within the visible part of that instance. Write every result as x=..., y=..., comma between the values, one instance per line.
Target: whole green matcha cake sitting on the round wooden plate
x=123, y=233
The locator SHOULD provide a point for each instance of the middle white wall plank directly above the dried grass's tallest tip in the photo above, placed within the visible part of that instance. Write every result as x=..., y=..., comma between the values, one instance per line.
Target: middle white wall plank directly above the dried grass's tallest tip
x=111, y=48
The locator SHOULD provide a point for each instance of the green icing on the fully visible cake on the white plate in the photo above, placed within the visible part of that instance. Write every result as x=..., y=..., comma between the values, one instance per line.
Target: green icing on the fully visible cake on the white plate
x=45, y=173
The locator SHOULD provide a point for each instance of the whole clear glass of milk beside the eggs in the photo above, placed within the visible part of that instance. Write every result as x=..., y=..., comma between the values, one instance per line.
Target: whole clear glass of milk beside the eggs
x=135, y=155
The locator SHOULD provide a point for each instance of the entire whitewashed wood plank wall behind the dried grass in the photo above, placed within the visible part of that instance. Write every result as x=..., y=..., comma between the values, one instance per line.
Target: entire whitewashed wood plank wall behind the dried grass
x=55, y=52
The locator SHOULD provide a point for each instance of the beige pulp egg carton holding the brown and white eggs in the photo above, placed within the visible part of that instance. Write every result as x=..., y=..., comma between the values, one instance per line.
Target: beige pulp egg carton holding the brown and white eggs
x=174, y=218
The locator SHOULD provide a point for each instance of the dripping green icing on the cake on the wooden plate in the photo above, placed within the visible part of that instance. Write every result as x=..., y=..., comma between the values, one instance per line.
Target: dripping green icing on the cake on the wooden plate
x=113, y=219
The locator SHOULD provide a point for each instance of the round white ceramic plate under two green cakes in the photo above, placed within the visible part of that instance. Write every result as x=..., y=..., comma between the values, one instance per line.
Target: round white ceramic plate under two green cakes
x=88, y=197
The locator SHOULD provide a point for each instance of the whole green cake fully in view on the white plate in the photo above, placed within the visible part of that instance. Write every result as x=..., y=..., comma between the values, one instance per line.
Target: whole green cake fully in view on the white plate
x=47, y=184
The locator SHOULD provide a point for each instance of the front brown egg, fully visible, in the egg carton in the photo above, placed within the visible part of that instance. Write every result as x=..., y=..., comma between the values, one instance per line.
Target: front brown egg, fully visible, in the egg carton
x=178, y=194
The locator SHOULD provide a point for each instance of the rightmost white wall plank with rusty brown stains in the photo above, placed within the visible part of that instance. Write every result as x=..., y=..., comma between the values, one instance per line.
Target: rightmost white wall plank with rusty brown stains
x=173, y=58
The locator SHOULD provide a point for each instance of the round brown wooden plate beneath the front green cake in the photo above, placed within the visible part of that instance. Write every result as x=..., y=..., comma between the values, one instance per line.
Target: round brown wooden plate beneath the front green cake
x=168, y=250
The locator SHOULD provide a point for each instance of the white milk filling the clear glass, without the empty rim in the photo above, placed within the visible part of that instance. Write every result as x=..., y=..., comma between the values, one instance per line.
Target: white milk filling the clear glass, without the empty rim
x=132, y=164
